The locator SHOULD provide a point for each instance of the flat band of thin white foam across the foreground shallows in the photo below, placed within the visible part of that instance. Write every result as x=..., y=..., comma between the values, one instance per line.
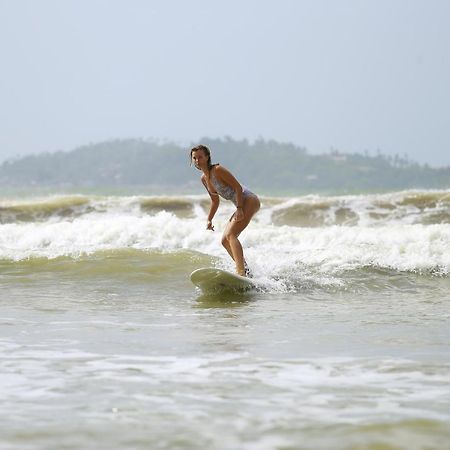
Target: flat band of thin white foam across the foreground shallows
x=379, y=387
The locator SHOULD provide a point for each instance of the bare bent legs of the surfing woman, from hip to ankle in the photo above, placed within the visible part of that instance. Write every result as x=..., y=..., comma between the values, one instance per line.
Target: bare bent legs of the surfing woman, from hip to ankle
x=233, y=229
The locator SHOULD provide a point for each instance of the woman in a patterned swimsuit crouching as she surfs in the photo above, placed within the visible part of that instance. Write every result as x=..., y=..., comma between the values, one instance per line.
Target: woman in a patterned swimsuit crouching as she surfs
x=218, y=181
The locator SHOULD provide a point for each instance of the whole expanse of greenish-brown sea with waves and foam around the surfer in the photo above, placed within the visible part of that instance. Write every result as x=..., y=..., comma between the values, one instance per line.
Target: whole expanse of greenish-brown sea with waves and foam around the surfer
x=105, y=343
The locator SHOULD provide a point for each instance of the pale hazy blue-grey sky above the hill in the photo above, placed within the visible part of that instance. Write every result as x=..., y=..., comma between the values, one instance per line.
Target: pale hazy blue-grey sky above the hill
x=349, y=74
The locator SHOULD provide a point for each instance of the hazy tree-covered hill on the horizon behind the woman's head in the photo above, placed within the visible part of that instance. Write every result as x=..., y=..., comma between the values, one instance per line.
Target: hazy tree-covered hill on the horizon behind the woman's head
x=264, y=165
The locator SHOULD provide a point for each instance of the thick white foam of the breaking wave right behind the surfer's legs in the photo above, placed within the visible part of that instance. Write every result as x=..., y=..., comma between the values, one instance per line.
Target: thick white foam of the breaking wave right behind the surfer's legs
x=270, y=249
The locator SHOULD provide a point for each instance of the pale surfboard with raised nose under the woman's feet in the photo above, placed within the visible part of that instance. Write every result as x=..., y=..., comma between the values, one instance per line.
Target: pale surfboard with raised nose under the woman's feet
x=211, y=280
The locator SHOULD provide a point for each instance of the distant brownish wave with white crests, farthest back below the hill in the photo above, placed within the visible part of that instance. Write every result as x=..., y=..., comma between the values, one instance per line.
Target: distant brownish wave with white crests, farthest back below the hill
x=407, y=207
